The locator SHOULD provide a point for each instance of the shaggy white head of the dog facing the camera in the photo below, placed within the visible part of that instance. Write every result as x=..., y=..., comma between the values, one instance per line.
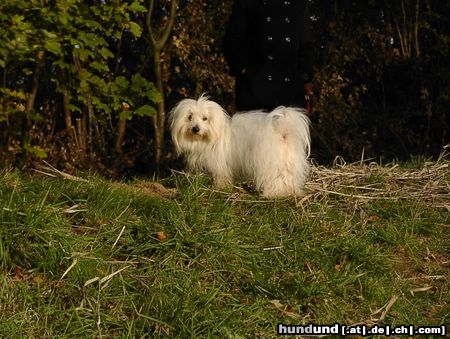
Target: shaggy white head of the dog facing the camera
x=197, y=123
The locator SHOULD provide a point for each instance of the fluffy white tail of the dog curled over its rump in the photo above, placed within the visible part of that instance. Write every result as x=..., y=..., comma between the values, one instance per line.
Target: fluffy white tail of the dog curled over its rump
x=292, y=125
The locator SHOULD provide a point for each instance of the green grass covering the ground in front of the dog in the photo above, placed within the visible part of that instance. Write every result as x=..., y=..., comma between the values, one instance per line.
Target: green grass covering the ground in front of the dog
x=83, y=259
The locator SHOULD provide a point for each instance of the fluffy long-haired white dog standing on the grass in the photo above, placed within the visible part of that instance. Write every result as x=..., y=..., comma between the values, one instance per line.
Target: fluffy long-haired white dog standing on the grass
x=271, y=149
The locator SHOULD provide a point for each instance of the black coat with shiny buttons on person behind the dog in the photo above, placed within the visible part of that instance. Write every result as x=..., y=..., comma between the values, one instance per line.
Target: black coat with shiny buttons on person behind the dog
x=268, y=45
